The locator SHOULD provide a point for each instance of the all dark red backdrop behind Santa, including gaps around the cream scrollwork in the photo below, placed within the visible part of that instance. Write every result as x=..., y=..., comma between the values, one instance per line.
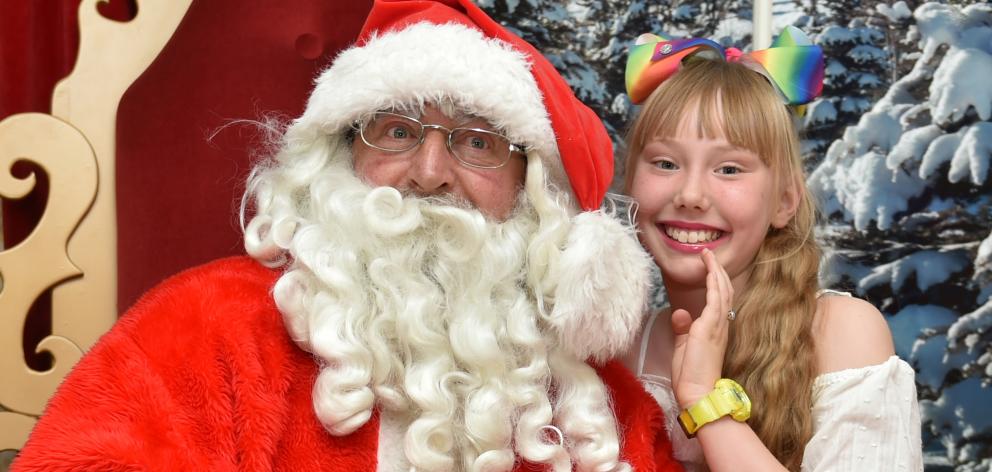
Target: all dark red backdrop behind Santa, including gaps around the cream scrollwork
x=180, y=163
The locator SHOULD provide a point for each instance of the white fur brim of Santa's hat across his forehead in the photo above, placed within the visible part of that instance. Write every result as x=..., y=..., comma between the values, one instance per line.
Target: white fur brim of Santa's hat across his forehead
x=430, y=63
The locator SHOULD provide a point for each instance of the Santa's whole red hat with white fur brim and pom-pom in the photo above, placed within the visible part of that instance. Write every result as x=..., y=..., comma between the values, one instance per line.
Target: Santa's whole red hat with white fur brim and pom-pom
x=435, y=51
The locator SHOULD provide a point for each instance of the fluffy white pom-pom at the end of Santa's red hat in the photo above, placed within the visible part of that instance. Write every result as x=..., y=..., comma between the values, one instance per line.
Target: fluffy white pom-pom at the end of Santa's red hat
x=602, y=294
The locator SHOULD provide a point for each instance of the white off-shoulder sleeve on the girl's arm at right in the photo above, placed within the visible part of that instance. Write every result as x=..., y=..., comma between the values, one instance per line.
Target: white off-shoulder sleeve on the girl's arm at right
x=866, y=419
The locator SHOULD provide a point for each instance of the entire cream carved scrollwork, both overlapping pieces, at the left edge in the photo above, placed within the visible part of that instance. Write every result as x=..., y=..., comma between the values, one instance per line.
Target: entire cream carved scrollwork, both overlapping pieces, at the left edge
x=73, y=249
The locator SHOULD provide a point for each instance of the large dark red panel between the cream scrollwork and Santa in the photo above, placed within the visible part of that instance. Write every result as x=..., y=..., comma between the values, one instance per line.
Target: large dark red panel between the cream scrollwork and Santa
x=181, y=164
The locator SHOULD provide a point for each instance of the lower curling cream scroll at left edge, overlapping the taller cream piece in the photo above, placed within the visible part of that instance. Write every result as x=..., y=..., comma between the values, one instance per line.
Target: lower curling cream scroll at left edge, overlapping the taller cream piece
x=40, y=261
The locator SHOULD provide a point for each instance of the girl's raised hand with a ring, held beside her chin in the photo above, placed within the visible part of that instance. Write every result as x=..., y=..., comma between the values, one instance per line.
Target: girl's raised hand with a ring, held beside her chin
x=700, y=344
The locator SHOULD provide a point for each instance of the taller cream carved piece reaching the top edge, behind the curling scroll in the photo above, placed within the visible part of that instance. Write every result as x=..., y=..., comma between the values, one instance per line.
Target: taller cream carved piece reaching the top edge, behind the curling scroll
x=112, y=55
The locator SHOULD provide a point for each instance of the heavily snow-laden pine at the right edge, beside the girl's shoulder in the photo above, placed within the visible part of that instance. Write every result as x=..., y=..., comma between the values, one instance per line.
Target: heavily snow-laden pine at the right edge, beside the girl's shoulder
x=909, y=196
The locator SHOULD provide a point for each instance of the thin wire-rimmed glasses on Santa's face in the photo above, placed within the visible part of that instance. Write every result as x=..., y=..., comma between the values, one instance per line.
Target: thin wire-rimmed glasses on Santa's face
x=473, y=147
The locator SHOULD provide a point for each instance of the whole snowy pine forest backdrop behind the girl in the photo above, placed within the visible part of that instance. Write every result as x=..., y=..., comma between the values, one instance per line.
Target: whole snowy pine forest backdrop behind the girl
x=898, y=150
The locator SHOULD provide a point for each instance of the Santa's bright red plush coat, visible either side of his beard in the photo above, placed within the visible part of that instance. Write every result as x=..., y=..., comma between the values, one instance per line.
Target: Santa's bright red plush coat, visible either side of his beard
x=201, y=375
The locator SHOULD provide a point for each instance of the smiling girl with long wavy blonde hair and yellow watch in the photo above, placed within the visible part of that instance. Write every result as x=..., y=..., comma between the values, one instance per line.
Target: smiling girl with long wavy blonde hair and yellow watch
x=714, y=167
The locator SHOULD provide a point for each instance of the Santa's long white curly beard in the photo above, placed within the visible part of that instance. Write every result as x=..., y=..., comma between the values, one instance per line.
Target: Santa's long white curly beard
x=420, y=307
